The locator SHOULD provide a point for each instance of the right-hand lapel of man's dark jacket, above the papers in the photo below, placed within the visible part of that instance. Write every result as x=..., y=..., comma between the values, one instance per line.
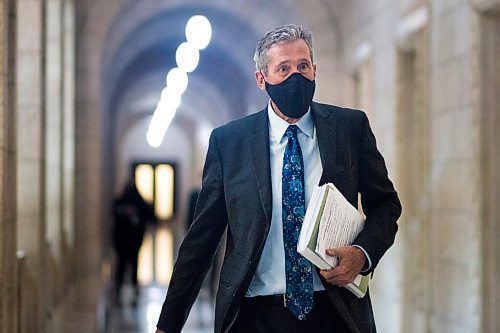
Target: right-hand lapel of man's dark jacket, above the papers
x=326, y=129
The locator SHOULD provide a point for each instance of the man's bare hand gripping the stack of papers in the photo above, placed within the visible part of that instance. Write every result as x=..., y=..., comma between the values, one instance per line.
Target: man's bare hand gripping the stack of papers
x=351, y=261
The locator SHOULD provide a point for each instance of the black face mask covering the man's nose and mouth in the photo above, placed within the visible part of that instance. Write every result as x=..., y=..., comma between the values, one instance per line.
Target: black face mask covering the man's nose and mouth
x=292, y=96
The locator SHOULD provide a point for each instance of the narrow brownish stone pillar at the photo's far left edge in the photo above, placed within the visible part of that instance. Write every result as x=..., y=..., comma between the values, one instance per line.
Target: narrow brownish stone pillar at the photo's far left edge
x=8, y=267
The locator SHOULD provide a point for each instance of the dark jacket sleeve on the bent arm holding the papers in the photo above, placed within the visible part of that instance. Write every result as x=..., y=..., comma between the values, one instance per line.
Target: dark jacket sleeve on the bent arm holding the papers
x=379, y=199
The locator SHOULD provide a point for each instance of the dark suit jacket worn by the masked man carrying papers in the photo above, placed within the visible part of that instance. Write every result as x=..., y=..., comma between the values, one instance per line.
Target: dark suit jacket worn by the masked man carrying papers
x=236, y=195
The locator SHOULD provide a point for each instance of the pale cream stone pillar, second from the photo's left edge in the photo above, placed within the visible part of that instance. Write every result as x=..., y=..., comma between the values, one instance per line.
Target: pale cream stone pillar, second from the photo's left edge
x=30, y=163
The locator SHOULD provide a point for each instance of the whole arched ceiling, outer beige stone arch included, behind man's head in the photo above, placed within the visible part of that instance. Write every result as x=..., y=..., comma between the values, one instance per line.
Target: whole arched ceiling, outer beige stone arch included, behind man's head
x=128, y=46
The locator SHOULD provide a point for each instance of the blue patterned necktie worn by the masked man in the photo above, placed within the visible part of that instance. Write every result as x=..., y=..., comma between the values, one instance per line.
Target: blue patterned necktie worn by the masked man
x=299, y=280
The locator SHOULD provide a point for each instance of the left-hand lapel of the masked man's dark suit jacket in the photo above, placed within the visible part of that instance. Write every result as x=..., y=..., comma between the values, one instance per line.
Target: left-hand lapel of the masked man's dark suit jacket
x=259, y=140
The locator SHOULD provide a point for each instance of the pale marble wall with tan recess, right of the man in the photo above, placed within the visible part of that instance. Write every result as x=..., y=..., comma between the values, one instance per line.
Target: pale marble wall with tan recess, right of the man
x=425, y=91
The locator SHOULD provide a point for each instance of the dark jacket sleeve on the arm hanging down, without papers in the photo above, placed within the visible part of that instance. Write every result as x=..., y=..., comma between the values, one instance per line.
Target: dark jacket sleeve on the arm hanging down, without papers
x=199, y=245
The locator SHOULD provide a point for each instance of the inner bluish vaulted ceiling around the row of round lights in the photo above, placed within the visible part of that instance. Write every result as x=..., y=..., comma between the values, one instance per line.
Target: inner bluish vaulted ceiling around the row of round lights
x=148, y=49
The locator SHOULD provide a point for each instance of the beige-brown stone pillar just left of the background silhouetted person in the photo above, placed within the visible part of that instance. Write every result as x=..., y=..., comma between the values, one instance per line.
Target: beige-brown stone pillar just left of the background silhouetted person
x=89, y=155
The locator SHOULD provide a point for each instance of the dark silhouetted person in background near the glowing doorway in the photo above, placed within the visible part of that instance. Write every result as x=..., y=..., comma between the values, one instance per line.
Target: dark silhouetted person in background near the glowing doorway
x=131, y=216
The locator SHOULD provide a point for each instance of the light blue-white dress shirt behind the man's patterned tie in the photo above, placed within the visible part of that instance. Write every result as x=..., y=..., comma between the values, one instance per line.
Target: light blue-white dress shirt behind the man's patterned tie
x=269, y=278
